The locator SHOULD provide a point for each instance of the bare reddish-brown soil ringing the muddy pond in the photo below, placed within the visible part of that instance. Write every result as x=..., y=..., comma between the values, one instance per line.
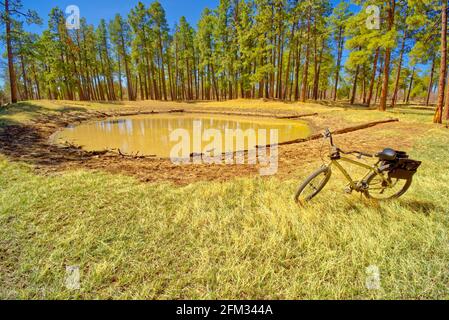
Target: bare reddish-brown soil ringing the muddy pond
x=30, y=143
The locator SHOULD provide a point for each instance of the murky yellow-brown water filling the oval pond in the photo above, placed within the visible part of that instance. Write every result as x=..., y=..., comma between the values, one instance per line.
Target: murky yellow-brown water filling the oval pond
x=150, y=134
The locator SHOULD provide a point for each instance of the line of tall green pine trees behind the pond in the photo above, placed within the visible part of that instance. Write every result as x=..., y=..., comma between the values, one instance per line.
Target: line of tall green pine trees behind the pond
x=289, y=50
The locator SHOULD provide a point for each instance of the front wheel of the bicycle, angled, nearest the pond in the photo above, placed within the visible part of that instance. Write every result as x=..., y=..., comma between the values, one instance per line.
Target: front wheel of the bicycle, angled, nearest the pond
x=313, y=185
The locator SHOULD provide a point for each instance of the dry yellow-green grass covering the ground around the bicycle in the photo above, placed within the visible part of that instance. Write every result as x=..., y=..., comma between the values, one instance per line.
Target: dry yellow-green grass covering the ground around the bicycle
x=244, y=238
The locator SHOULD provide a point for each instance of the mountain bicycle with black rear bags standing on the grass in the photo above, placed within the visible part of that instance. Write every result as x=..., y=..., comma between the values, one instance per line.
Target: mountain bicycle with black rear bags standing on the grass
x=390, y=178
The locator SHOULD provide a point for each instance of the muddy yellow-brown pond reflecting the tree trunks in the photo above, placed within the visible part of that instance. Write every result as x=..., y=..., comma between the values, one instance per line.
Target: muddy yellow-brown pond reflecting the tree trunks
x=147, y=134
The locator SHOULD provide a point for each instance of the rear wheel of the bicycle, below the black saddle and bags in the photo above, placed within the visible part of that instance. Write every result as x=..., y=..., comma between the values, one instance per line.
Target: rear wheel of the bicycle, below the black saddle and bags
x=381, y=190
